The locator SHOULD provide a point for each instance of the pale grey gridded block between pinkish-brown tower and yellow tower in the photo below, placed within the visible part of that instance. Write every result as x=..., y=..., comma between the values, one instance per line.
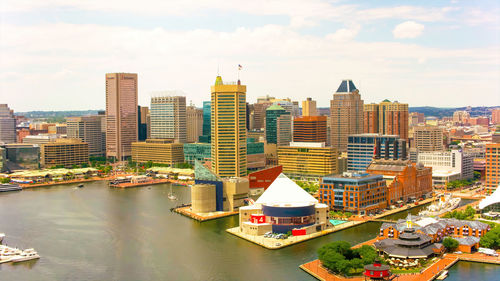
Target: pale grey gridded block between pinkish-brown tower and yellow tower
x=168, y=117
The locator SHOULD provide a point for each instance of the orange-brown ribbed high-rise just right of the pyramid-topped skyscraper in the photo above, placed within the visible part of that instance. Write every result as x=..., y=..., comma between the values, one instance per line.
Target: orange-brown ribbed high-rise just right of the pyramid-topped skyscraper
x=386, y=118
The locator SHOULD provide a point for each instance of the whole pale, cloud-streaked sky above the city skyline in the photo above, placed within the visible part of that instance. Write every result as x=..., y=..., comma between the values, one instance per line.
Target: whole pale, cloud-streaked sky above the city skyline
x=54, y=54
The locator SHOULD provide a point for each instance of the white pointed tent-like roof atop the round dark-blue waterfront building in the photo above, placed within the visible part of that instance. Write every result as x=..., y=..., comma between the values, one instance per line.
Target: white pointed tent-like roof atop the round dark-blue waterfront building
x=284, y=192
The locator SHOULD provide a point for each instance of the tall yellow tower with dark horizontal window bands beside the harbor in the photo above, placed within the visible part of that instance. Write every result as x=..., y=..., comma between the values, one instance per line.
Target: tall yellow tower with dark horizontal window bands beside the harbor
x=229, y=147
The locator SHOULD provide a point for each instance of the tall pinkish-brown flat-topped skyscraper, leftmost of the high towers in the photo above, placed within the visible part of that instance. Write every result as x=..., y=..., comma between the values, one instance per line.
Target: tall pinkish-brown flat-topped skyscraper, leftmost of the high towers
x=121, y=114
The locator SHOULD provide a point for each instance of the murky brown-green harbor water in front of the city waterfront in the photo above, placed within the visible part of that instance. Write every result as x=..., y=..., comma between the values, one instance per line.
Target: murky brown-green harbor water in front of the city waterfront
x=99, y=233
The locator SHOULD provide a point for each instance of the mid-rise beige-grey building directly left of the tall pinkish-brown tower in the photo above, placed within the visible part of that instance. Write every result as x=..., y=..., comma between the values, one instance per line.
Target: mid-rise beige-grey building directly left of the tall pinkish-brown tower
x=88, y=129
